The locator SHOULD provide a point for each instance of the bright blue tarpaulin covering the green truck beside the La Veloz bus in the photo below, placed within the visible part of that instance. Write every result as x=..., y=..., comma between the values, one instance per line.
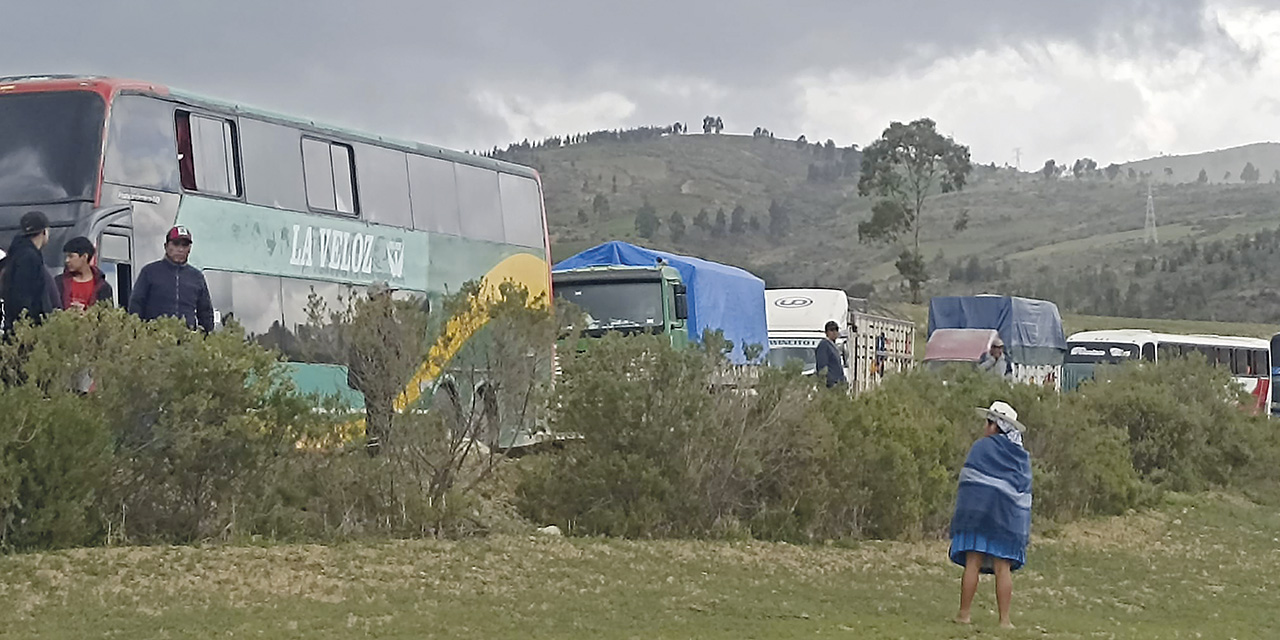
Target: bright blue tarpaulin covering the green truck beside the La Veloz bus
x=720, y=296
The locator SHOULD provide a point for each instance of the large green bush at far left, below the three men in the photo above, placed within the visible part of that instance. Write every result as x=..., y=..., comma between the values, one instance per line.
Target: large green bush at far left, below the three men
x=190, y=423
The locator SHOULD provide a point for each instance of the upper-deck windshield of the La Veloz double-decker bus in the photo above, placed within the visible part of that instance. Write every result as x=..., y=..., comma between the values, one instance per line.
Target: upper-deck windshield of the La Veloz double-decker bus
x=51, y=145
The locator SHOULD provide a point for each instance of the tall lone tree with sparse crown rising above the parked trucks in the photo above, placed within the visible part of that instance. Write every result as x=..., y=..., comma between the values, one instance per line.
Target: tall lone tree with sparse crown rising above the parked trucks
x=903, y=168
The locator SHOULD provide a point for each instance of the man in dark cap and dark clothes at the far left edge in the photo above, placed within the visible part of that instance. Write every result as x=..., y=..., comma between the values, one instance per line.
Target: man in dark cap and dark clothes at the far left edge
x=29, y=287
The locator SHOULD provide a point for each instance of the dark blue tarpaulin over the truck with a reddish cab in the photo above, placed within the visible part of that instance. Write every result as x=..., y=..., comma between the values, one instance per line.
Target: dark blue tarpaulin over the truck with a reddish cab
x=1032, y=330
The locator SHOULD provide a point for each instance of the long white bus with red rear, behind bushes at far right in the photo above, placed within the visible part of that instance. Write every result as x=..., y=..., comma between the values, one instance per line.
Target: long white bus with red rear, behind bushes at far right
x=1249, y=359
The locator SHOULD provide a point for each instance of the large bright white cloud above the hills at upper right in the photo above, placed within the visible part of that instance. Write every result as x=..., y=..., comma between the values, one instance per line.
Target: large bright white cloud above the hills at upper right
x=1064, y=102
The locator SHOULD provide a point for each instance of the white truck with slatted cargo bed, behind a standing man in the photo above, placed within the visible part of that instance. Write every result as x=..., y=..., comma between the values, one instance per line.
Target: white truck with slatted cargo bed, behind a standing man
x=872, y=345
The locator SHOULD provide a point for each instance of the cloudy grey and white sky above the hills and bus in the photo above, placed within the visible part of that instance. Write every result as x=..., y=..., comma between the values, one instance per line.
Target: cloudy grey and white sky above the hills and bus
x=1114, y=80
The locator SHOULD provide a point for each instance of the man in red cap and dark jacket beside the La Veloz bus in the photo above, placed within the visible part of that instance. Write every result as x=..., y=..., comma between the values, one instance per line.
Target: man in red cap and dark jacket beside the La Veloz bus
x=171, y=287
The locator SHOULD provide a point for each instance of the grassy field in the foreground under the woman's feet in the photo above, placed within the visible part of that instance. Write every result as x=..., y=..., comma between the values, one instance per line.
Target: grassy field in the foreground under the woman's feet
x=1203, y=566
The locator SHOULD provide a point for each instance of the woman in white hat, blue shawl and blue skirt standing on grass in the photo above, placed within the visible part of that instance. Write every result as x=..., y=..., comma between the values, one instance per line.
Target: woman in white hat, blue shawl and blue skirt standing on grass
x=993, y=520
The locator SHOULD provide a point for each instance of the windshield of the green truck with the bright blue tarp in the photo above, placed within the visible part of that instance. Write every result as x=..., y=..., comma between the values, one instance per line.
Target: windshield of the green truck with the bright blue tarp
x=618, y=305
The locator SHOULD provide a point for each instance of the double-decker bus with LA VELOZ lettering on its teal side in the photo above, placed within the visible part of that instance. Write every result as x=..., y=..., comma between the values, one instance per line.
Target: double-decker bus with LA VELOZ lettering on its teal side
x=280, y=207
